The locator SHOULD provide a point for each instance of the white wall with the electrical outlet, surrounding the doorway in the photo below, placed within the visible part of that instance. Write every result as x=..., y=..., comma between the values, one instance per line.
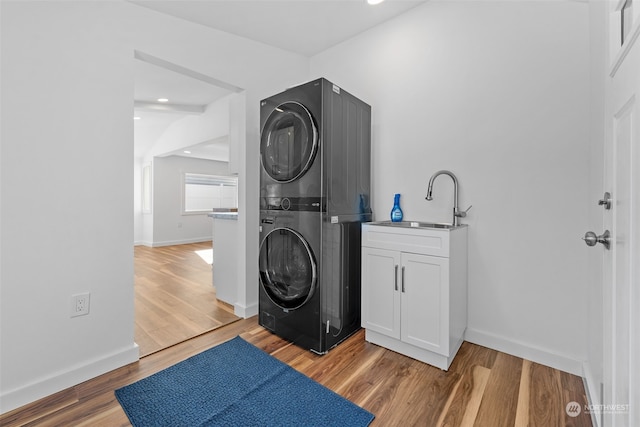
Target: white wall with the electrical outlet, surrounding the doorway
x=67, y=227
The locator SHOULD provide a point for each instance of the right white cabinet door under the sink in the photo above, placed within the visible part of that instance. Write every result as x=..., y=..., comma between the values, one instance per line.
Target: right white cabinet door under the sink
x=425, y=302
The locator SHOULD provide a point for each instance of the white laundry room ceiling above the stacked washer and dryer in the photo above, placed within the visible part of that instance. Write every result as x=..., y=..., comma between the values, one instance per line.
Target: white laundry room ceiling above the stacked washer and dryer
x=306, y=27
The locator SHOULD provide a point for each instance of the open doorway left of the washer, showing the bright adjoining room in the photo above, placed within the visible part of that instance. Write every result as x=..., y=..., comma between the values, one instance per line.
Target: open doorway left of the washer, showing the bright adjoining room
x=182, y=128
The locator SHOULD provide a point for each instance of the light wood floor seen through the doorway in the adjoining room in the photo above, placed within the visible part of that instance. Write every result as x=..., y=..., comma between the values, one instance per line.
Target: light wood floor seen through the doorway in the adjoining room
x=174, y=297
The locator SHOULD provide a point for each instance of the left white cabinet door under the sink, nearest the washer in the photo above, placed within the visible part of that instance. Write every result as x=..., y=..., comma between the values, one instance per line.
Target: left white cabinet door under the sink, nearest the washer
x=380, y=299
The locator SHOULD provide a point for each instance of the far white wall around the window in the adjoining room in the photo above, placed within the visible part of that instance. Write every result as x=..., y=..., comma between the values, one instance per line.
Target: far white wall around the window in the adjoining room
x=170, y=226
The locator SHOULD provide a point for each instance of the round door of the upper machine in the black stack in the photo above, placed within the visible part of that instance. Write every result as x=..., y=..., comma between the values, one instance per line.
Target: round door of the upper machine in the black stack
x=288, y=142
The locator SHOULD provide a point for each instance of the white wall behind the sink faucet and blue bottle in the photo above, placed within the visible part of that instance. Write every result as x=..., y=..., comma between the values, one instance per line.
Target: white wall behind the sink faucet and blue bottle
x=497, y=93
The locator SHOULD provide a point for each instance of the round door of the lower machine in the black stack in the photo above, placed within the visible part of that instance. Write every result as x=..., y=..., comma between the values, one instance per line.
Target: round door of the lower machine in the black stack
x=288, y=271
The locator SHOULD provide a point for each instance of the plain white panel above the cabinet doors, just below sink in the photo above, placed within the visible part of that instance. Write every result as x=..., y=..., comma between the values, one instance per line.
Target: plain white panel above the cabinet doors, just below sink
x=417, y=241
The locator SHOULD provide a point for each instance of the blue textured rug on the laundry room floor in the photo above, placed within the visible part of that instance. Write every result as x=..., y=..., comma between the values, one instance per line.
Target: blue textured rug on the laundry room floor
x=235, y=384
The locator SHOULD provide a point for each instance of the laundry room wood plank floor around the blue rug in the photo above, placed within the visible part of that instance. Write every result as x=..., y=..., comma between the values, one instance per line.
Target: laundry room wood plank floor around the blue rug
x=482, y=388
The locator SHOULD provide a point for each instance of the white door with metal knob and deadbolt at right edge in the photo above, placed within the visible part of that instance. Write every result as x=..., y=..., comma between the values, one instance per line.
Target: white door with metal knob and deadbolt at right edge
x=622, y=262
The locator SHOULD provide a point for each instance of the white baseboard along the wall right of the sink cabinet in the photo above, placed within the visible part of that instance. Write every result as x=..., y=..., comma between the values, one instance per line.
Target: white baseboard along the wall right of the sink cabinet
x=525, y=351
